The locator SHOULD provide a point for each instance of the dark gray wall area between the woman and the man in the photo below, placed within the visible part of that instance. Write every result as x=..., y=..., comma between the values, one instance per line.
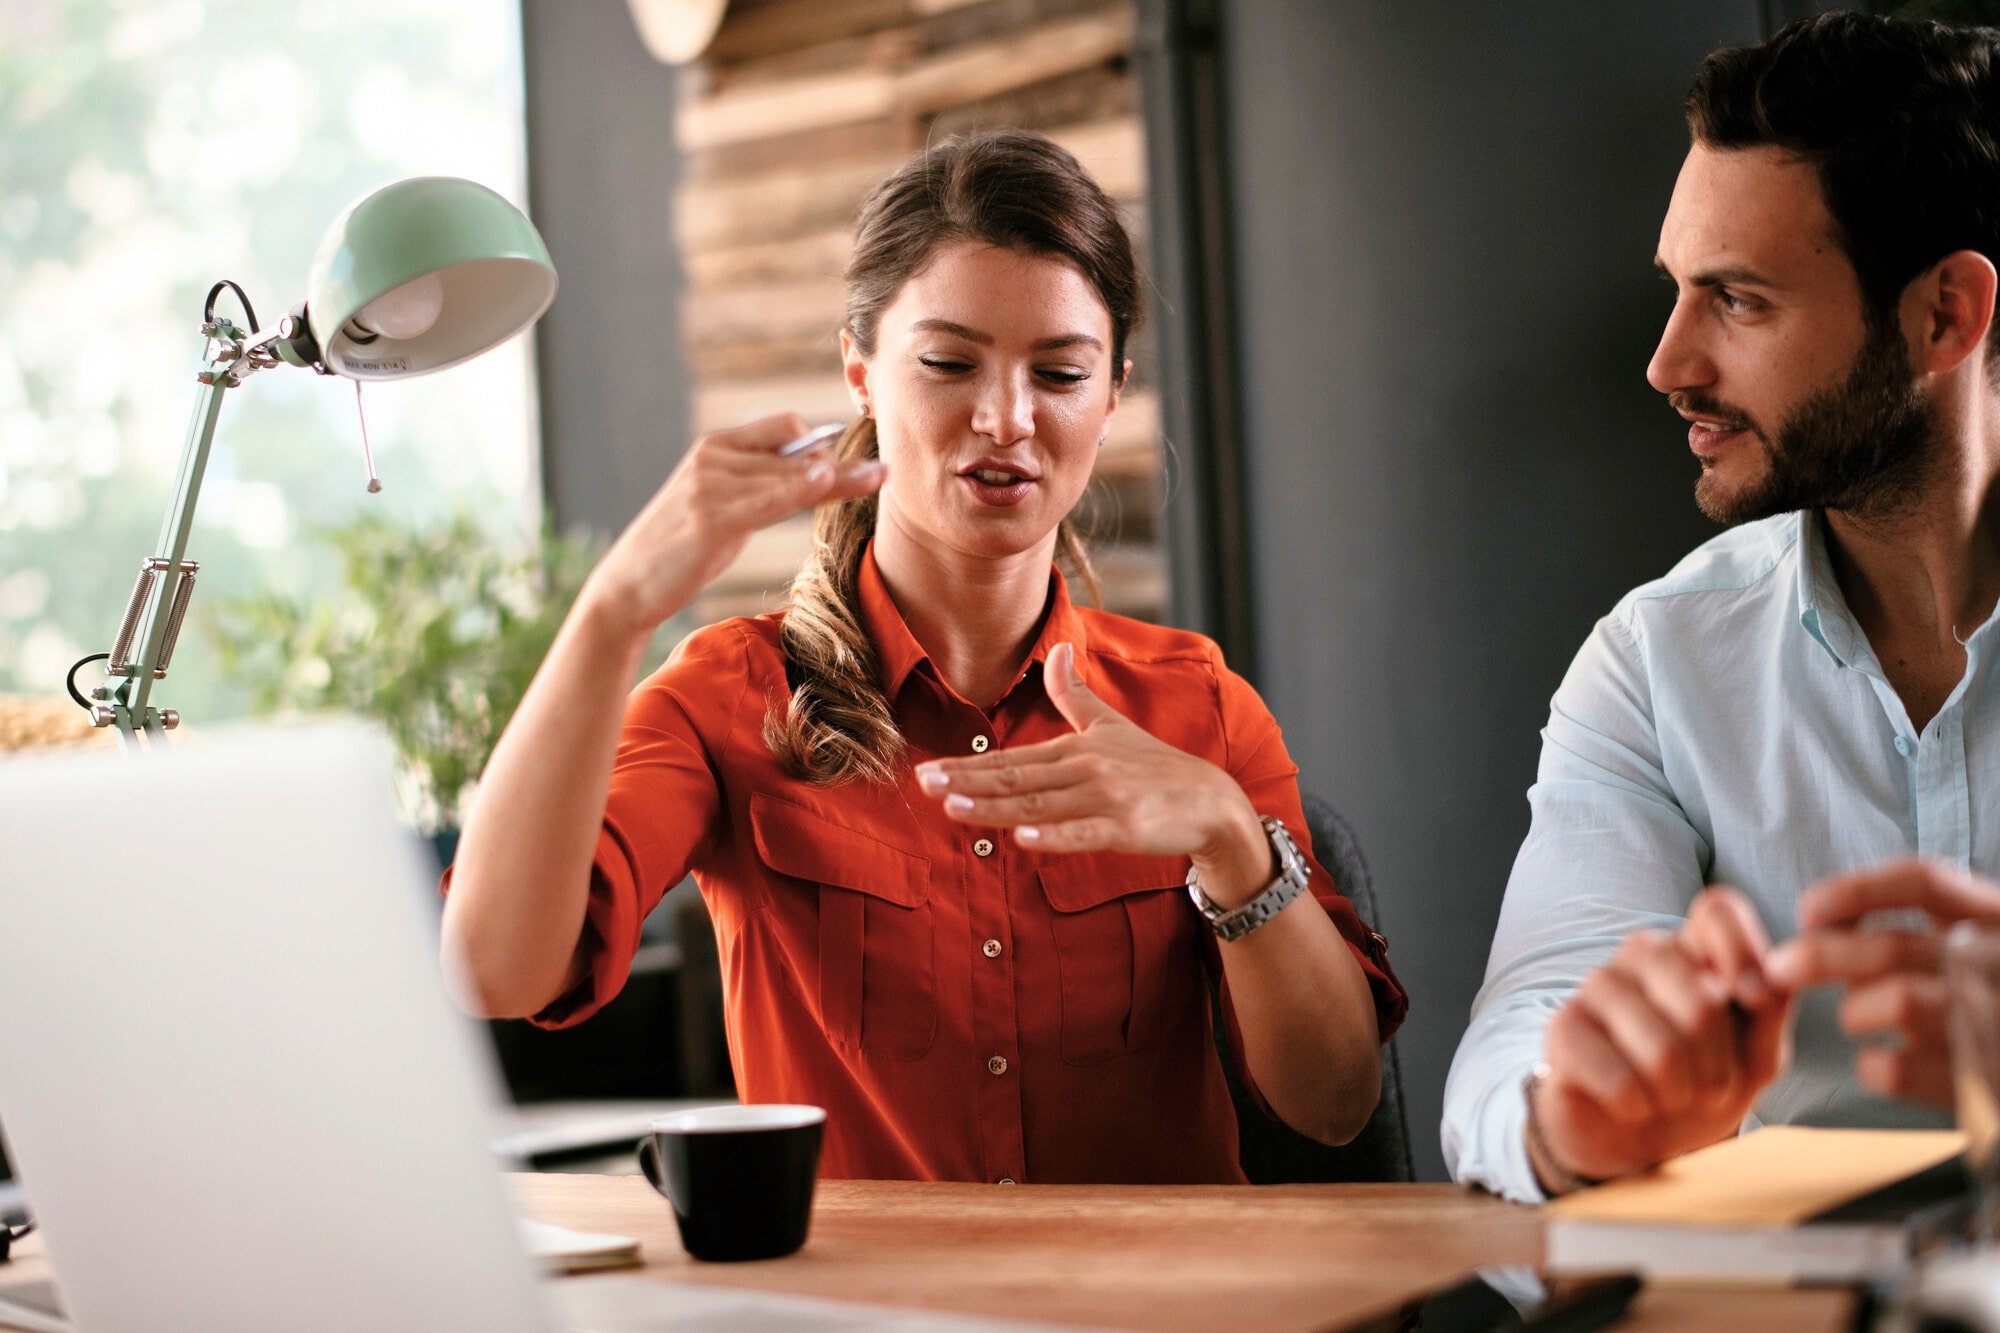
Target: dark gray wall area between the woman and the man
x=1445, y=223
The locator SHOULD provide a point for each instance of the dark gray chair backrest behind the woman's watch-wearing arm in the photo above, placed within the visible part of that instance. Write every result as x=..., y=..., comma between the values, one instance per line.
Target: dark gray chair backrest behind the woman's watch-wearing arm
x=1275, y=1154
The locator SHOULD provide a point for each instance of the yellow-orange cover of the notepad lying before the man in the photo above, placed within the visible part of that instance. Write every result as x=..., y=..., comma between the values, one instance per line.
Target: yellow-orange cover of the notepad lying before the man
x=1769, y=1178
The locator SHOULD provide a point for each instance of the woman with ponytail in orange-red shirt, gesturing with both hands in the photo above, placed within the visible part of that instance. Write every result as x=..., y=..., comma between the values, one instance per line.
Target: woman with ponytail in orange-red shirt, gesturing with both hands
x=943, y=818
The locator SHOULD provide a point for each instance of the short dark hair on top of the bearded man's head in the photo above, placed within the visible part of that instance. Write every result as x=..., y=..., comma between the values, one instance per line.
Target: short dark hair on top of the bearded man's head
x=1901, y=119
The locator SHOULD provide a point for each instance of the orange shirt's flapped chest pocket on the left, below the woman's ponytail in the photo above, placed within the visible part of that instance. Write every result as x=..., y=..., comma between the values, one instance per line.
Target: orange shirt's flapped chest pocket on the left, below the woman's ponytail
x=877, y=946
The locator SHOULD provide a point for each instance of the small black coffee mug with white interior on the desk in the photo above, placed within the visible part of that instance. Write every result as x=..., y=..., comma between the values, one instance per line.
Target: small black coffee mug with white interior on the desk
x=739, y=1178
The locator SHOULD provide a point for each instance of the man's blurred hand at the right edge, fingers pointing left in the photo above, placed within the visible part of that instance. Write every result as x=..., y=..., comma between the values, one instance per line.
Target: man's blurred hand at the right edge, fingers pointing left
x=1895, y=978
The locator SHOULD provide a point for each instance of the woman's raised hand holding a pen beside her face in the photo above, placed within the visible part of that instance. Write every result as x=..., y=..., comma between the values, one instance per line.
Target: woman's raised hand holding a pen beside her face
x=727, y=487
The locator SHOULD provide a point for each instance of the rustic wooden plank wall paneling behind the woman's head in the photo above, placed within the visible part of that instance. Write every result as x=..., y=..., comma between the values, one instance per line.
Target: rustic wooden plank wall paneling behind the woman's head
x=797, y=113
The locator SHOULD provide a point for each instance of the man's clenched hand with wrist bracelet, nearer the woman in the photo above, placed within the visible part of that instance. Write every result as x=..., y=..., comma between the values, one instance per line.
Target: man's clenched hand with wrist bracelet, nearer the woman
x=1663, y=1050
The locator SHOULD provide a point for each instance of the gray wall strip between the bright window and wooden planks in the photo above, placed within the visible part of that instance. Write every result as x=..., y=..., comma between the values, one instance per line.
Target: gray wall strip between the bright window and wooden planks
x=601, y=187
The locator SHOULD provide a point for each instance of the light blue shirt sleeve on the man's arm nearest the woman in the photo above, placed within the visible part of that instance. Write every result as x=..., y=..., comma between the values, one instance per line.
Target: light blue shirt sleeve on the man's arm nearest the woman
x=1609, y=852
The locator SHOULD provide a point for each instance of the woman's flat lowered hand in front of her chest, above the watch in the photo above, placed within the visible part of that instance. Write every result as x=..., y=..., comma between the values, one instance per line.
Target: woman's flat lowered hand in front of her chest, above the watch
x=1109, y=788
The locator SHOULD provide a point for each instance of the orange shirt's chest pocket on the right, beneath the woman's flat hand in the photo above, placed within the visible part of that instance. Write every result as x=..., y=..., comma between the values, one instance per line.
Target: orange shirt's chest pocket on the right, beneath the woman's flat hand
x=1125, y=948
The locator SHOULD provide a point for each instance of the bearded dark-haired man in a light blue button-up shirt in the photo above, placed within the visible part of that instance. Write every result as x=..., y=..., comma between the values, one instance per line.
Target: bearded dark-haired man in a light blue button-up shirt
x=1799, y=728
